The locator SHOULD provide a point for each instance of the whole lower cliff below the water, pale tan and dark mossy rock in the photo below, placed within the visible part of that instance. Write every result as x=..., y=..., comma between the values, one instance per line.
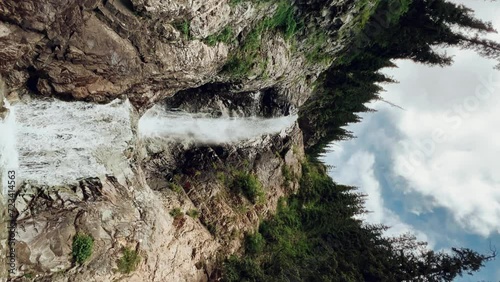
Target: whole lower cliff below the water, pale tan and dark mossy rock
x=135, y=213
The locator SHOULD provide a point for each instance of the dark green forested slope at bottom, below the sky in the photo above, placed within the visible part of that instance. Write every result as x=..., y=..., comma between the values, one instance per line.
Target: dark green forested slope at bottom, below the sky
x=315, y=236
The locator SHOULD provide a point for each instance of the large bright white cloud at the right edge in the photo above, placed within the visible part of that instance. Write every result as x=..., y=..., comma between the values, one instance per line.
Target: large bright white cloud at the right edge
x=451, y=147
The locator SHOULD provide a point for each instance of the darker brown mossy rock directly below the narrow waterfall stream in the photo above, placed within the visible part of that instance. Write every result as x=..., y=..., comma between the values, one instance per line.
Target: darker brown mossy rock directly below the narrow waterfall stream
x=205, y=175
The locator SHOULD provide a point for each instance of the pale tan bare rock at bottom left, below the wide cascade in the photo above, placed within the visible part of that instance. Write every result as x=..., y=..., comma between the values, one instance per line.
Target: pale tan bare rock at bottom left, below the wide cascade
x=116, y=217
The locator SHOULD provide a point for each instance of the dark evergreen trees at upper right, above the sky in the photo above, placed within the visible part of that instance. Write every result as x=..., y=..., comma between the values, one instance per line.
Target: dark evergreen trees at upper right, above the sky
x=391, y=30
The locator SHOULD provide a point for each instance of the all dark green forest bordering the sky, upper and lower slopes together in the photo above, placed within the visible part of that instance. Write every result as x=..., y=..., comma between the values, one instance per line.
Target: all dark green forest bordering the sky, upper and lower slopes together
x=316, y=234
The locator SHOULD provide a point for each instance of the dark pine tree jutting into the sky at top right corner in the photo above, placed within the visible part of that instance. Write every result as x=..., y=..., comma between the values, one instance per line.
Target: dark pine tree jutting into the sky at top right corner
x=436, y=23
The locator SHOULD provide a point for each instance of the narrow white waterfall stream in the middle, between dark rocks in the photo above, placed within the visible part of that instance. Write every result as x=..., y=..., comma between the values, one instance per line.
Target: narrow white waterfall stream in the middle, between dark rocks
x=179, y=126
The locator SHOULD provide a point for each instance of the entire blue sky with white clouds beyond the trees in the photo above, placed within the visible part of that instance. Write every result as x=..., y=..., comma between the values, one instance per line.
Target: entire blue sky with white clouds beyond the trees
x=432, y=168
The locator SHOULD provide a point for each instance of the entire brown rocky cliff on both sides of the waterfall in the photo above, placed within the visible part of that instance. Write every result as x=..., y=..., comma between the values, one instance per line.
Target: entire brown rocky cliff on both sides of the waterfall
x=155, y=52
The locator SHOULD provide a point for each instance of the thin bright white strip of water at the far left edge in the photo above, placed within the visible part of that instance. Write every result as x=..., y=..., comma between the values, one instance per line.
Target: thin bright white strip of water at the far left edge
x=8, y=150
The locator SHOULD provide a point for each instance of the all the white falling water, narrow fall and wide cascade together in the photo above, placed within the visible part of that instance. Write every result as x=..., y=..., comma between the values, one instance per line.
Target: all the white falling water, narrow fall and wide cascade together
x=52, y=142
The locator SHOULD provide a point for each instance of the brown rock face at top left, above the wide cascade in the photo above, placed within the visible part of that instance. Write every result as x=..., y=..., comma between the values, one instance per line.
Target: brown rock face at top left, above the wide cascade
x=97, y=51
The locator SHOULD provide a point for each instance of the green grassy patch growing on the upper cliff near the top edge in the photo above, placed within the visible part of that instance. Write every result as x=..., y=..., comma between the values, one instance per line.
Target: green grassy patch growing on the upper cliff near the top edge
x=248, y=56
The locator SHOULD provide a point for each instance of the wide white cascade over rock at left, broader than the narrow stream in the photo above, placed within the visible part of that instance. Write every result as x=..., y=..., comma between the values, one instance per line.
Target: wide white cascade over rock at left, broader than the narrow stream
x=60, y=142
